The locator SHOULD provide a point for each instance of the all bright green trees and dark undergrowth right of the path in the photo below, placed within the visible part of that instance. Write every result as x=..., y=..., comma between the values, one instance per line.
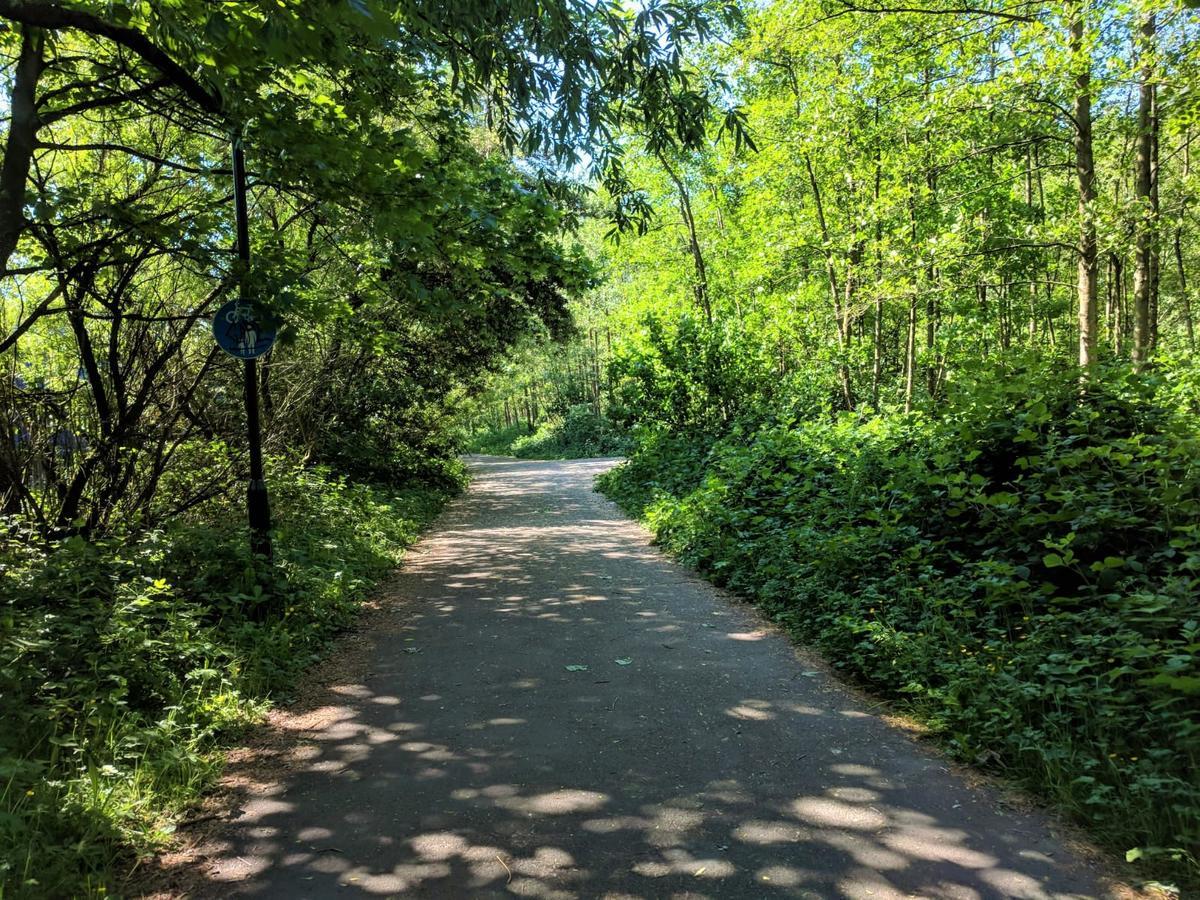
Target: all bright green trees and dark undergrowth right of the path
x=915, y=371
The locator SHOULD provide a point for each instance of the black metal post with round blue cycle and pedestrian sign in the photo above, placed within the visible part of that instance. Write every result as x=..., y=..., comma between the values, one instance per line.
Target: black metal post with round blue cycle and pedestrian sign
x=239, y=332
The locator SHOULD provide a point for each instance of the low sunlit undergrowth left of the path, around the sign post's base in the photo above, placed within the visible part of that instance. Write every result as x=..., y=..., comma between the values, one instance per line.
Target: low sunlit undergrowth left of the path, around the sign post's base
x=127, y=662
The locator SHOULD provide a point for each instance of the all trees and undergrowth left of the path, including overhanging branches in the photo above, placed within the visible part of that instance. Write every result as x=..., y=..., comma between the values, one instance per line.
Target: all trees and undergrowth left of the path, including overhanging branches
x=409, y=225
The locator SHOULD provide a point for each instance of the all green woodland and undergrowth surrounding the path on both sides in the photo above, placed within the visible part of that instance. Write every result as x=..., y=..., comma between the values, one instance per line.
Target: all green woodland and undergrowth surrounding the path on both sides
x=889, y=304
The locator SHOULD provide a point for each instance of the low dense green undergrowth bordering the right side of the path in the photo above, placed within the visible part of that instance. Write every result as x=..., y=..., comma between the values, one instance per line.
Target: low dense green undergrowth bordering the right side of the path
x=1023, y=572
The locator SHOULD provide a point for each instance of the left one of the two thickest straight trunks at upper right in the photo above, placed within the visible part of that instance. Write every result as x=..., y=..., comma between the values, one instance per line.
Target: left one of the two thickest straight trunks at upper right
x=1085, y=173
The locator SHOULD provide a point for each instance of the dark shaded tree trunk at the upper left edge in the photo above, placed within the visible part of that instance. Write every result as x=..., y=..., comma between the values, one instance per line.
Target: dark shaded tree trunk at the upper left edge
x=21, y=142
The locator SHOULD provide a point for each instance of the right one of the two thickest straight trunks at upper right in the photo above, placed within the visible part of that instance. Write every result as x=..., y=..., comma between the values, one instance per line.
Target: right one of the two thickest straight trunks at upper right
x=1148, y=212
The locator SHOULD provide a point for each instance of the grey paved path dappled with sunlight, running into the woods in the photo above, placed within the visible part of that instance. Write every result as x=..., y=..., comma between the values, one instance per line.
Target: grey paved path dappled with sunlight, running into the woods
x=697, y=757
